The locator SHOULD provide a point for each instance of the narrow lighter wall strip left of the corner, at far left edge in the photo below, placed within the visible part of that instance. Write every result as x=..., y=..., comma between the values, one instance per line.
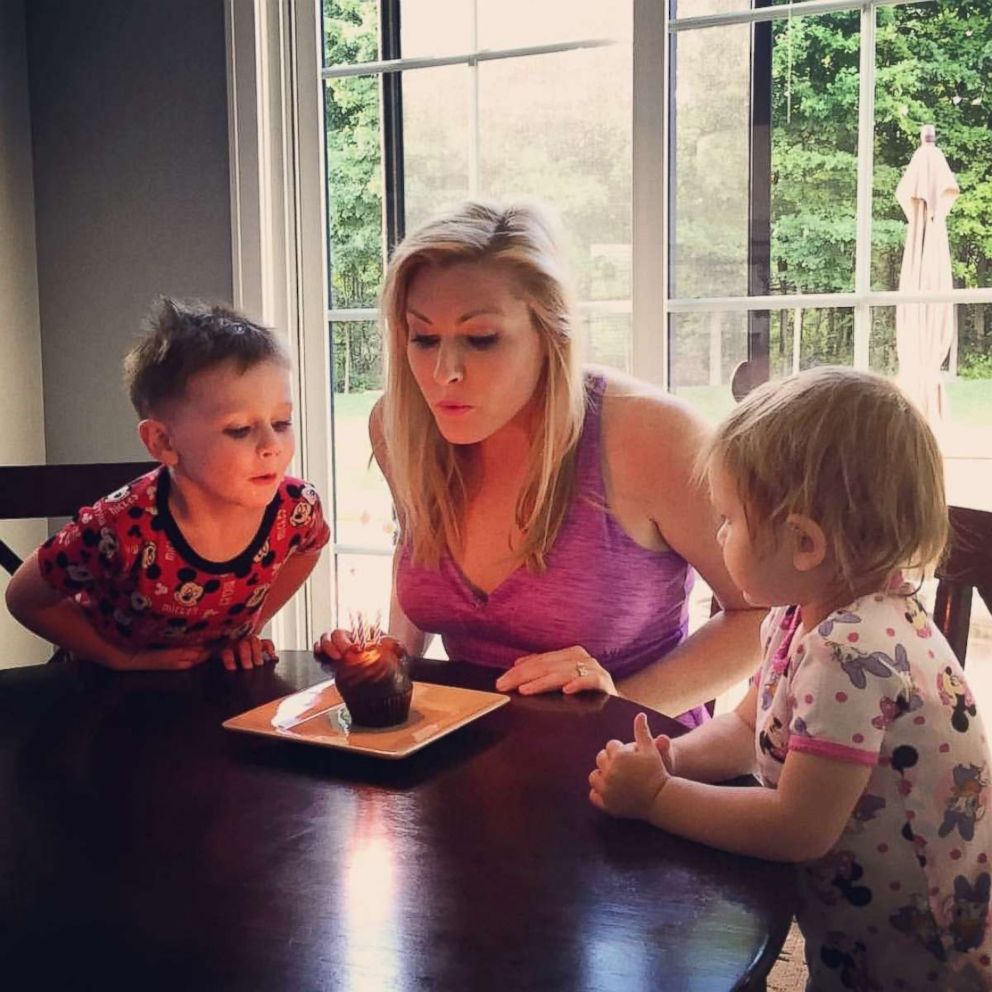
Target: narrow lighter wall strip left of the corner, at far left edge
x=22, y=435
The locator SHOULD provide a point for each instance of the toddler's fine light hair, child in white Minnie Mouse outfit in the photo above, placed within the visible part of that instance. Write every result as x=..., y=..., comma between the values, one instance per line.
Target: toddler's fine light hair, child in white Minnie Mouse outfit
x=848, y=450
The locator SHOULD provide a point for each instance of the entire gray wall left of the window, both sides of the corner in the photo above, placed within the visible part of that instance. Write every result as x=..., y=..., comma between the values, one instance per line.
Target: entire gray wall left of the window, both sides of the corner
x=114, y=188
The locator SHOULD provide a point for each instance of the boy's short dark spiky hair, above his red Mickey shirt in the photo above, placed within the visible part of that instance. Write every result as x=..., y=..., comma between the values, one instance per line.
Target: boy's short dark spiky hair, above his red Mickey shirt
x=186, y=338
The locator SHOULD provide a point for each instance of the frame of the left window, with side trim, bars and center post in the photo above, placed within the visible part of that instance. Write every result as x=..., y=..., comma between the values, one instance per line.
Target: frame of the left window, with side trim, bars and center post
x=278, y=208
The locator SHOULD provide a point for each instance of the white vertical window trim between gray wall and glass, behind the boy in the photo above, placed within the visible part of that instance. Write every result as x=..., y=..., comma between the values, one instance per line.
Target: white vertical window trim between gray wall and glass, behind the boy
x=278, y=251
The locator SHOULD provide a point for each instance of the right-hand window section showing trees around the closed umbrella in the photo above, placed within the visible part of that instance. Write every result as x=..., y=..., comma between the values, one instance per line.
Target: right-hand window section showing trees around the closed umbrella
x=790, y=127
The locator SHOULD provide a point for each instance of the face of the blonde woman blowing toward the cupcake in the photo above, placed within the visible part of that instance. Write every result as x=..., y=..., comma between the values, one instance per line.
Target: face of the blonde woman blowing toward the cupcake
x=472, y=348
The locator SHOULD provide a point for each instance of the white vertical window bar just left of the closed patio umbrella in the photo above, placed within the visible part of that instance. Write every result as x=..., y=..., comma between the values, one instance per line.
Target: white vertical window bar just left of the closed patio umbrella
x=866, y=168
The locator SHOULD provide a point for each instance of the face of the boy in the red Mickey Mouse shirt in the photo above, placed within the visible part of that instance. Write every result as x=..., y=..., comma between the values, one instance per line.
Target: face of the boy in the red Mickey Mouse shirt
x=231, y=436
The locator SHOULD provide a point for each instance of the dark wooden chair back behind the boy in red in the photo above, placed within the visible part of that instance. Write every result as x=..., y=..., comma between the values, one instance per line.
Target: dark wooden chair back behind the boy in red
x=31, y=492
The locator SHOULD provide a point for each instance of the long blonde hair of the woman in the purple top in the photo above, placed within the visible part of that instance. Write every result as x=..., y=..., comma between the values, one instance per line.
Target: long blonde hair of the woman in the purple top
x=427, y=472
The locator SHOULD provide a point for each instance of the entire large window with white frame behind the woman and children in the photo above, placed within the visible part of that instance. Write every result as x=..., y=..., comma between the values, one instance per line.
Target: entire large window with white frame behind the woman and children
x=724, y=171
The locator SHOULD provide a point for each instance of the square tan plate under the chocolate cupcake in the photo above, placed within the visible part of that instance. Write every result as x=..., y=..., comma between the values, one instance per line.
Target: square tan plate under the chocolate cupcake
x=318, y=716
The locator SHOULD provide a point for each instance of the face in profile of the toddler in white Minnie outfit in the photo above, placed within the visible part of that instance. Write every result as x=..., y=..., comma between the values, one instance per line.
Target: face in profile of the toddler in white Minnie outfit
x=766, y=573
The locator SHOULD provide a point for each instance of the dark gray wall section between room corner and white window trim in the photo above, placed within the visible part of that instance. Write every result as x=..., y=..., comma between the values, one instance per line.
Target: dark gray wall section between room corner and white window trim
x=132, y=200
